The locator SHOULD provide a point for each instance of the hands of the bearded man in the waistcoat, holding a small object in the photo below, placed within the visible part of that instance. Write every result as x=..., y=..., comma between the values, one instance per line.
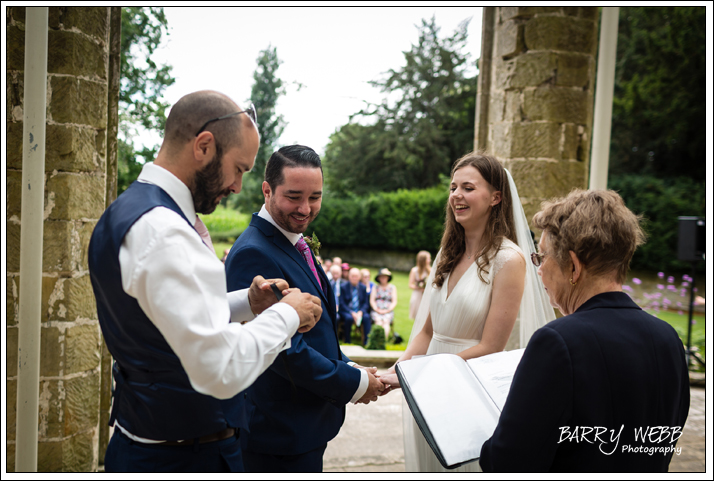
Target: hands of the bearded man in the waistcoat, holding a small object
x=261, y=297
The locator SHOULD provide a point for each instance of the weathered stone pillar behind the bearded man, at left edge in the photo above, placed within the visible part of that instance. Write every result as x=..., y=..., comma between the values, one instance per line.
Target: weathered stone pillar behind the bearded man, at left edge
x=75, y=178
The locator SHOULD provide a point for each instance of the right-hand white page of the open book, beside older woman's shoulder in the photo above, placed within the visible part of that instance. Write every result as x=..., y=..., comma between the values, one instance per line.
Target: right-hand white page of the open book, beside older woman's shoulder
x=495, y=372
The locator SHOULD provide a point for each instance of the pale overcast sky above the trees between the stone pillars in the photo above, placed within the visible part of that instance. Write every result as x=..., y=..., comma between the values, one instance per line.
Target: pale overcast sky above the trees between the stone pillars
x=332, y=51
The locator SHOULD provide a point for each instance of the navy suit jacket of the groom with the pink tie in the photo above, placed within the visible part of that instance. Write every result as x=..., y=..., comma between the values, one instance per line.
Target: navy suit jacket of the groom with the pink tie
x=301, y=407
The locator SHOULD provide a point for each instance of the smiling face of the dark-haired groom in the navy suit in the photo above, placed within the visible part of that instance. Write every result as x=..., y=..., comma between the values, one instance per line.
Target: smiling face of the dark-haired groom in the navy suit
x=296, y=202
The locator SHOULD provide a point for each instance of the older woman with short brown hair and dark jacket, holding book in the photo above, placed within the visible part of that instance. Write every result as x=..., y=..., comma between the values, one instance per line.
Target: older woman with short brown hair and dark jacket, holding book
x=591, y=380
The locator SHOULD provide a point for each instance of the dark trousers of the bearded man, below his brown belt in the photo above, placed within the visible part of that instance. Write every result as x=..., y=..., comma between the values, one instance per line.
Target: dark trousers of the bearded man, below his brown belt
x=127, y=456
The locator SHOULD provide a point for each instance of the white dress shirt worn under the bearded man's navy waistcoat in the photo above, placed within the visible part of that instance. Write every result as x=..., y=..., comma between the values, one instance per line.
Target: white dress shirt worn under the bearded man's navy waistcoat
x=181, y=287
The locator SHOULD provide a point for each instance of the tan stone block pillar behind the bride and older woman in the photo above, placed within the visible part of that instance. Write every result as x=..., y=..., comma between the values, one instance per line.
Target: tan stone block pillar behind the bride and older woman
x=540, y=98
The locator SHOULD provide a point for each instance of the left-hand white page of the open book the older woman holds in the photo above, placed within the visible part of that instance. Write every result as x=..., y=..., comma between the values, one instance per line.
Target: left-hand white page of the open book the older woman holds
x=458, y=412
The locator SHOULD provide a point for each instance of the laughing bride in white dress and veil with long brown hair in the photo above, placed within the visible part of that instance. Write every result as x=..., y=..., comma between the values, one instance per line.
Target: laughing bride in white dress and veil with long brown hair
x=477, y=283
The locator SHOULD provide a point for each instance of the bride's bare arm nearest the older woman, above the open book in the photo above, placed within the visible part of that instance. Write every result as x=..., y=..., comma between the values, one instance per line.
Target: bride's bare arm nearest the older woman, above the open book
x=508, y=285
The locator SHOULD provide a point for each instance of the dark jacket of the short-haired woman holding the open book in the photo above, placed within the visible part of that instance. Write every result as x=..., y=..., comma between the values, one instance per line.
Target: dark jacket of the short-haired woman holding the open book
x=609, y=365
